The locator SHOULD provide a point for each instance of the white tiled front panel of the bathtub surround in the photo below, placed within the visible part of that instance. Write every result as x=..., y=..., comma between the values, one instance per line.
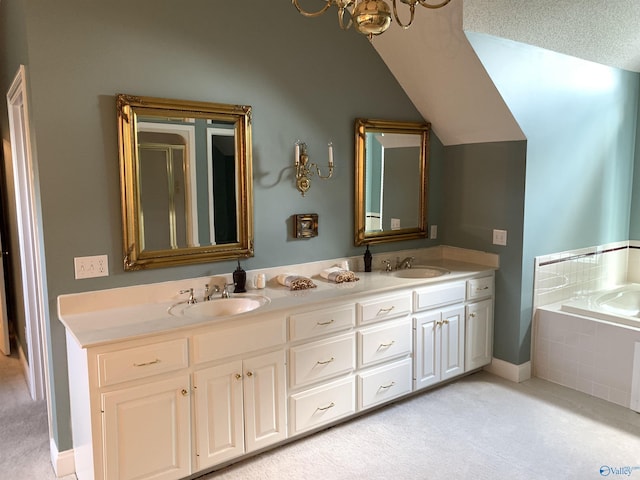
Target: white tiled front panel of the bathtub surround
x=591, y=356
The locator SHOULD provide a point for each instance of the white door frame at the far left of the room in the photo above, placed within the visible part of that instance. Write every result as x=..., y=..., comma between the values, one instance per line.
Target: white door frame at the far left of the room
x=30, y=239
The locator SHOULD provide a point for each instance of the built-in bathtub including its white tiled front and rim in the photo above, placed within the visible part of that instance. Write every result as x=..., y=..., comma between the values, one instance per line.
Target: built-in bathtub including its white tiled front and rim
x=592, y=344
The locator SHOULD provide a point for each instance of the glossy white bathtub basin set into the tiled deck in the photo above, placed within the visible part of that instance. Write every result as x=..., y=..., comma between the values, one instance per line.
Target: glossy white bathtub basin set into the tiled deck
x=619, y=305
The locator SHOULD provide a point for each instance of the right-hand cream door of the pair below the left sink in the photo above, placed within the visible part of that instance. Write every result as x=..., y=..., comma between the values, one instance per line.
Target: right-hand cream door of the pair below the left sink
x=264, y=400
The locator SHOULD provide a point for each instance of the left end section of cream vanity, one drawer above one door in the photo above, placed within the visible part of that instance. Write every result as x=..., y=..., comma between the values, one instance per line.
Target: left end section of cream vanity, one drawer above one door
x=130, y=409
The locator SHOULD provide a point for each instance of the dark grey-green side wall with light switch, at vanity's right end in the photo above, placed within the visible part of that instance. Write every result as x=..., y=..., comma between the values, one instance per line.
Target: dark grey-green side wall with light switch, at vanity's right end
x=484, y=190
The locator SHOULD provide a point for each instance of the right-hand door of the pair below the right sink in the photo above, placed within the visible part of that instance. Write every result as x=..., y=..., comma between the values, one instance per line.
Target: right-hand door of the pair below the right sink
x=452, y=342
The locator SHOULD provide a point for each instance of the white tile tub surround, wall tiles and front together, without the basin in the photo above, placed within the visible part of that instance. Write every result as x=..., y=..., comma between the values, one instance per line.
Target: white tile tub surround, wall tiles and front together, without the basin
x=588, y=355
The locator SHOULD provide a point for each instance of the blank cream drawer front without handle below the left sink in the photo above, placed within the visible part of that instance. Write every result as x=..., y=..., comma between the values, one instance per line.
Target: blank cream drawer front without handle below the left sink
x=235, y=340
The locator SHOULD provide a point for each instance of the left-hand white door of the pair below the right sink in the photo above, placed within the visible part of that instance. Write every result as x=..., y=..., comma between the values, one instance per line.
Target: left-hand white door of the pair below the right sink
x=427, y=350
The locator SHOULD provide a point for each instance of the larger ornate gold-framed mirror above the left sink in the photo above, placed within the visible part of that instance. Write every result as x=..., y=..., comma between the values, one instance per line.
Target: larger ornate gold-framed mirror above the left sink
x=186, y=181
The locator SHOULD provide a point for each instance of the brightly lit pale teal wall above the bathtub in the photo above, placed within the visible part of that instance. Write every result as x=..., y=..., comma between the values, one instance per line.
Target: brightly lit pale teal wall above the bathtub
x=580, y=119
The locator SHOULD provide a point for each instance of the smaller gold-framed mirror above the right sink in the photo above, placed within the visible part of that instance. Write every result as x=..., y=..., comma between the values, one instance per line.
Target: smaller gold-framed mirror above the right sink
x=391, y=172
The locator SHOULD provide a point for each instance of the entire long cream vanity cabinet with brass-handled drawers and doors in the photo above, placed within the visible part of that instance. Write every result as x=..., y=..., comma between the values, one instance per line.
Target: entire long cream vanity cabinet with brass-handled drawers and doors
x=180, y=401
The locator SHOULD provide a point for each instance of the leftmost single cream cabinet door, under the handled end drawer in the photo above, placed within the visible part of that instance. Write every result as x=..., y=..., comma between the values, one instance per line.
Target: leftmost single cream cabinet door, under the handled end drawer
x=147, y=431
